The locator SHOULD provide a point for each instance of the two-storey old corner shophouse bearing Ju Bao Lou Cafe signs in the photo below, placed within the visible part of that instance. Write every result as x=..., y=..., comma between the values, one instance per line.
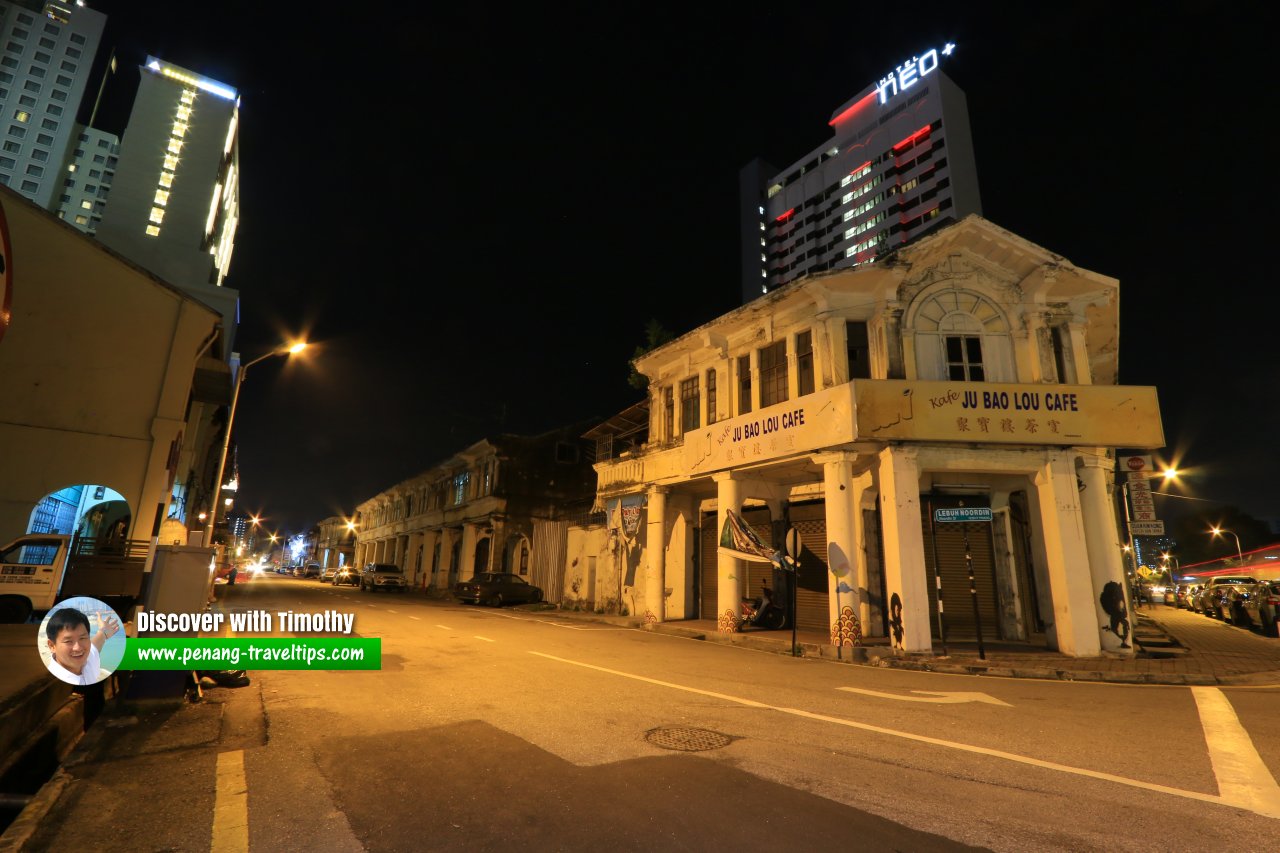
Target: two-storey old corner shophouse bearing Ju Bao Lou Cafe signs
x=971, y=371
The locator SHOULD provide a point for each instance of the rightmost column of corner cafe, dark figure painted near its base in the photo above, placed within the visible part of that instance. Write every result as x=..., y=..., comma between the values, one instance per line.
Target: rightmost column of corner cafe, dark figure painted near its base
x=1107, y=565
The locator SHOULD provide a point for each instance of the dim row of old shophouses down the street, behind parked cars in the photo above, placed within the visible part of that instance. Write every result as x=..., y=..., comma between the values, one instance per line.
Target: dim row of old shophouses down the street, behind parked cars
x=501, y=505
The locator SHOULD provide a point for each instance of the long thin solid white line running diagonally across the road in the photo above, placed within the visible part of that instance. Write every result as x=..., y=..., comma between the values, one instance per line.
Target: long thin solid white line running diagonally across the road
x=938, y=742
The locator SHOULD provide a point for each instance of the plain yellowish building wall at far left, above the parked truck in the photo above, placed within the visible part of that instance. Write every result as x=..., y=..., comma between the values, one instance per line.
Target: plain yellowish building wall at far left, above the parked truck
x=95, y=371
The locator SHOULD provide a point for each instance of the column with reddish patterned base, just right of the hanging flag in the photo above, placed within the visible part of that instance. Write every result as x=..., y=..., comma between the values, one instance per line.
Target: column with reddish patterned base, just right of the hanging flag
x=844, y=546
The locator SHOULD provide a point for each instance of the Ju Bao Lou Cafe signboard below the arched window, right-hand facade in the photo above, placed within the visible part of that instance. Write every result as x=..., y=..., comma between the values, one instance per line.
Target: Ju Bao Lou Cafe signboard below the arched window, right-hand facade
x=1008, y=414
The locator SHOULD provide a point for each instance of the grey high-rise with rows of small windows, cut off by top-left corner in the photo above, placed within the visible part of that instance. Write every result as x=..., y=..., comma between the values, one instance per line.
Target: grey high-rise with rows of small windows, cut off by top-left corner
x=47, y=53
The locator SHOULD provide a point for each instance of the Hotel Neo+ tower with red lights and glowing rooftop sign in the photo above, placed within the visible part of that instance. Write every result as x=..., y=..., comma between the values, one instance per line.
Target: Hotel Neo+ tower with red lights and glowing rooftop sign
x=899, y=165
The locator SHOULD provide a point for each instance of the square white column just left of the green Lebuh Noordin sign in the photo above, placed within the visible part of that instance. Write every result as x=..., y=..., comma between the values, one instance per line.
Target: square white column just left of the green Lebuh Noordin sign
x=906, y=580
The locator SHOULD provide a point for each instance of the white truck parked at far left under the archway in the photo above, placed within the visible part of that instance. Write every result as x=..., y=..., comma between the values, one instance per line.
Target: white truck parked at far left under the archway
x=42, y=569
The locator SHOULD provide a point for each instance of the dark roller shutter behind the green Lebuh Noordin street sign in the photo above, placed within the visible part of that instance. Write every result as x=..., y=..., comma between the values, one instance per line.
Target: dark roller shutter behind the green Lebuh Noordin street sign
x=956, y=574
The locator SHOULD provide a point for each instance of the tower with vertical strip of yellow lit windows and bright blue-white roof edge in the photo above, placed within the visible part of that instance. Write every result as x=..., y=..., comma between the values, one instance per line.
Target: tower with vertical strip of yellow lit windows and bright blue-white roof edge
x=176, y=202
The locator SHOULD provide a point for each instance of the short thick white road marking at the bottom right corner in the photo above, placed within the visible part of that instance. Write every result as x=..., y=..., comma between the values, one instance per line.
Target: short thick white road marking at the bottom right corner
x=1240, y=770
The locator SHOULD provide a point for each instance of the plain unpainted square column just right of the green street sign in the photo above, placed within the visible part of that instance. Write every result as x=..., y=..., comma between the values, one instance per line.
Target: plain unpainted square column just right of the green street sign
x=1067, y=558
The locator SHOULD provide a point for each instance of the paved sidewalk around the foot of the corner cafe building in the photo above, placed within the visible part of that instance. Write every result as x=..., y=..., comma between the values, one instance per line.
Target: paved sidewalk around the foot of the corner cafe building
x=1172, y=647
